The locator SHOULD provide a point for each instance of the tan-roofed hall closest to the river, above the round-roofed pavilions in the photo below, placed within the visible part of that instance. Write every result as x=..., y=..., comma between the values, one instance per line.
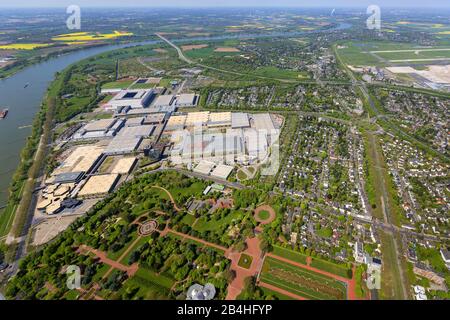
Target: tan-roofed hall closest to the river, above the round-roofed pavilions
x=82, y=159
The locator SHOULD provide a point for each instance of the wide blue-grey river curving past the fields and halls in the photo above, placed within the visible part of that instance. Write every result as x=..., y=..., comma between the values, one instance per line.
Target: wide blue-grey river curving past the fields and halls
x=23, y=103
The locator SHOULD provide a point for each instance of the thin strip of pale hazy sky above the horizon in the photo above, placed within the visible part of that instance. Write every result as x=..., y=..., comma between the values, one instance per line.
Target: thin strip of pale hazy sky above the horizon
x=227, y=3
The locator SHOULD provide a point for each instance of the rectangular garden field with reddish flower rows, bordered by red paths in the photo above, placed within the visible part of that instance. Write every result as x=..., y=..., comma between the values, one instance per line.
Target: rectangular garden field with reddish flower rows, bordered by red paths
x=302, y=282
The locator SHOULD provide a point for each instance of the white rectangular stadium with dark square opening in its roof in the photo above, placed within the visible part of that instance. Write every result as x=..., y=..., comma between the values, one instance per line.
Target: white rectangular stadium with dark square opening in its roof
x=135, y=99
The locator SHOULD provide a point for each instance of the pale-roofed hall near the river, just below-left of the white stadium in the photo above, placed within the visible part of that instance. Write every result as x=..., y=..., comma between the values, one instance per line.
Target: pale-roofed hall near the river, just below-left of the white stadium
x=97, y=129
